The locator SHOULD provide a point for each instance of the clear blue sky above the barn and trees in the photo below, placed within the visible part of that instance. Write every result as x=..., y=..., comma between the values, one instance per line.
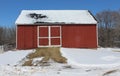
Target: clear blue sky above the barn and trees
x=10, y=9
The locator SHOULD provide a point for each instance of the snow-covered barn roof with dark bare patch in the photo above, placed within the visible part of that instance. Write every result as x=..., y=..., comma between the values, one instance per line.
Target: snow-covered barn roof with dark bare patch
x=56, y=16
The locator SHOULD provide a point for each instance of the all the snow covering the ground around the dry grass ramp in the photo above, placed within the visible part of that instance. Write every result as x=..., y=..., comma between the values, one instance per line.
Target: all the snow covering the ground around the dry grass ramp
x=81, y=62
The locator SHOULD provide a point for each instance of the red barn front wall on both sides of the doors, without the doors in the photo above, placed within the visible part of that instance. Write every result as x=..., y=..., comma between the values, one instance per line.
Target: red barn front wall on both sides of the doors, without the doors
x=73, y=36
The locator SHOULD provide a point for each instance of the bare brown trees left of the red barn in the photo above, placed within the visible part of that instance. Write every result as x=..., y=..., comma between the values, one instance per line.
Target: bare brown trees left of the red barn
x=8, y=37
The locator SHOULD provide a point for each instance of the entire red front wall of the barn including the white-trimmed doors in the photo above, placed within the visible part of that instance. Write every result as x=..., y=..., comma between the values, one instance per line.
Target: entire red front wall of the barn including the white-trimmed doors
x=73, y=36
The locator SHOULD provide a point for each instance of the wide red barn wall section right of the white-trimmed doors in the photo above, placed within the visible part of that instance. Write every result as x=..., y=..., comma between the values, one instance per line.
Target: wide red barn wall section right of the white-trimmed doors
x=79, y=36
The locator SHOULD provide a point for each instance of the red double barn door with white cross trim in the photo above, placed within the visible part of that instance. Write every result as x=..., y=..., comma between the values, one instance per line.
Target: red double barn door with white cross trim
x=49, y=36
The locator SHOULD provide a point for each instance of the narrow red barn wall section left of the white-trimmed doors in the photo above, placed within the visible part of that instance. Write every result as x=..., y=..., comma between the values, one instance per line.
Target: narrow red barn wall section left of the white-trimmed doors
x=26, y=37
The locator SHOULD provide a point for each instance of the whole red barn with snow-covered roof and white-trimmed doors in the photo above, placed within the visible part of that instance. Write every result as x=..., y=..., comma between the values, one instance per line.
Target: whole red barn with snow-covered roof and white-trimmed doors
x=56, y=28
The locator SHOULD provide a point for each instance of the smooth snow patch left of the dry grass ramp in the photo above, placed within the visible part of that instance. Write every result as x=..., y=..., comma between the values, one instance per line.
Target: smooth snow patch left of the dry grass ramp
x=13, y=57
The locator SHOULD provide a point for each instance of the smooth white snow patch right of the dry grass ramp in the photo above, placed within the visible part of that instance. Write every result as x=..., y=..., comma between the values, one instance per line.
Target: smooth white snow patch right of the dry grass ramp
x=88, y=57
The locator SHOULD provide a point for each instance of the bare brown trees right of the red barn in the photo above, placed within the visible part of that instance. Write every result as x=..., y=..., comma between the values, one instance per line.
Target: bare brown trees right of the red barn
x=108, y=20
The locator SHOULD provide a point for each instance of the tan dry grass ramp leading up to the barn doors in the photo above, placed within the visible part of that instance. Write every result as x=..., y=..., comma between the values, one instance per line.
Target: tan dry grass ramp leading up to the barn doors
x=48, y=53
